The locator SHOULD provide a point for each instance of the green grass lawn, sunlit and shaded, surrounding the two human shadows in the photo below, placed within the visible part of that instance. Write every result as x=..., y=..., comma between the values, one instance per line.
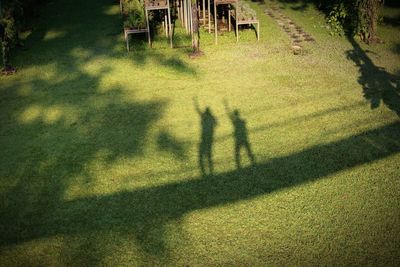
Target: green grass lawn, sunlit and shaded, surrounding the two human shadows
x=99, y=147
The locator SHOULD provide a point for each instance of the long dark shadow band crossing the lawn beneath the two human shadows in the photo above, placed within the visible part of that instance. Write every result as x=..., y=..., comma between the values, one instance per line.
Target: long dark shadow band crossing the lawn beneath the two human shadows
x=144, y=213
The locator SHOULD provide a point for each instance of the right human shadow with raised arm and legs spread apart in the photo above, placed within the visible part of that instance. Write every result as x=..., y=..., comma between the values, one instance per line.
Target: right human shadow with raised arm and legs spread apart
x=240, y=134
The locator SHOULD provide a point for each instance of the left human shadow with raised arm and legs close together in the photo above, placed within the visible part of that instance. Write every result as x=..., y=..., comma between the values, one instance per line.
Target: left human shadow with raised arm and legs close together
x=208, y=124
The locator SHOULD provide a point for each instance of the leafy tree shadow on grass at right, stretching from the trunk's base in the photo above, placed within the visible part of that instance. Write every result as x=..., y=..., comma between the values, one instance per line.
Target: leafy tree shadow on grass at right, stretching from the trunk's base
x=379, y=86
